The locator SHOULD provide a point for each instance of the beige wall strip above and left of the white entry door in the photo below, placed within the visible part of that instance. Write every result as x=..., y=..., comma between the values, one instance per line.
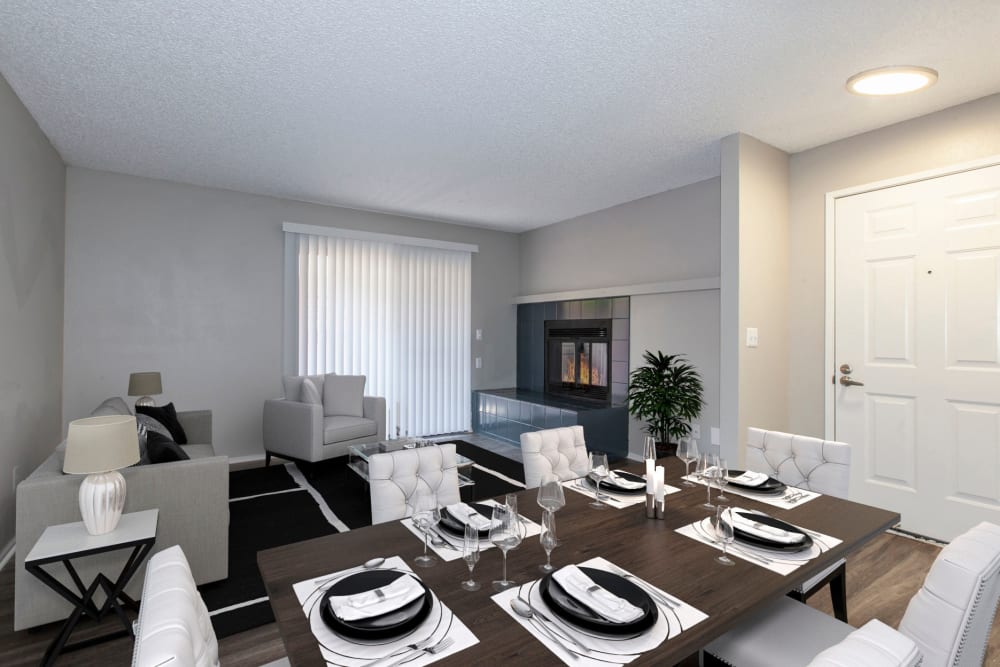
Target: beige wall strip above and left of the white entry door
x=960, y=134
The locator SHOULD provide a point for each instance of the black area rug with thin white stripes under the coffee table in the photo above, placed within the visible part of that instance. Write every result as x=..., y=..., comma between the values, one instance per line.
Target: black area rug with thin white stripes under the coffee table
x=275, y=510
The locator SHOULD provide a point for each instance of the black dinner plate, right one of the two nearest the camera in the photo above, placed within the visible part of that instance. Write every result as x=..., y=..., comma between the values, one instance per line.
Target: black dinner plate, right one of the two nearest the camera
x=566, y=606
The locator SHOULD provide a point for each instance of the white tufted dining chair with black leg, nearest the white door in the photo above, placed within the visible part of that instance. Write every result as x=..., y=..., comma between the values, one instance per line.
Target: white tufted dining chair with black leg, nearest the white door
x=823, y=466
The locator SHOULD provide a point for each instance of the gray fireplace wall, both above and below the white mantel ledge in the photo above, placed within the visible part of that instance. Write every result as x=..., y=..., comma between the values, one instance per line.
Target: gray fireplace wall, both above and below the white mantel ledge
x=674, y=235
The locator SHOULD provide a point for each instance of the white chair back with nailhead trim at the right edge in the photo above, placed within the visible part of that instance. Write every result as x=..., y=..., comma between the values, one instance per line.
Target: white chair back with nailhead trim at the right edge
x=951, y=615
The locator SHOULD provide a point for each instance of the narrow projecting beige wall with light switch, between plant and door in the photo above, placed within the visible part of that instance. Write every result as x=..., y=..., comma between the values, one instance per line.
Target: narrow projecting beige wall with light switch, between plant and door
x=757, y=230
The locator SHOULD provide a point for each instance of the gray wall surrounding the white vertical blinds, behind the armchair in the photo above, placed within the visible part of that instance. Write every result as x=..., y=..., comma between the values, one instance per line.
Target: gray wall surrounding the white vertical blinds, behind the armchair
x=189, y=281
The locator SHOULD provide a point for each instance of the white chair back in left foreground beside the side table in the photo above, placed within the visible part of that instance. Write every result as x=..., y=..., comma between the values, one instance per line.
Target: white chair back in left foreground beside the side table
x=174, y=627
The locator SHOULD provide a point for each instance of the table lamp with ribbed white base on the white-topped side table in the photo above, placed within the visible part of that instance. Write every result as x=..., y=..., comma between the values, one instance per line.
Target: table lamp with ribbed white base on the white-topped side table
x=98, y=447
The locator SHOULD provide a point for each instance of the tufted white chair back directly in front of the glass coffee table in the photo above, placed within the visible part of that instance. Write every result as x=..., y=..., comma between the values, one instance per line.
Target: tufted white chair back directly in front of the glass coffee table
x=395, y=477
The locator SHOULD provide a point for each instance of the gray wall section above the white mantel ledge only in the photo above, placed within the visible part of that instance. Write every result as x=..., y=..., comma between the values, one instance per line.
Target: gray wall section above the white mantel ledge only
x=670, y=236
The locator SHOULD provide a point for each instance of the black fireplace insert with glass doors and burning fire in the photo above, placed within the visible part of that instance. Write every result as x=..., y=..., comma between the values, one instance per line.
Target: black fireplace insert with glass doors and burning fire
x=578, y=359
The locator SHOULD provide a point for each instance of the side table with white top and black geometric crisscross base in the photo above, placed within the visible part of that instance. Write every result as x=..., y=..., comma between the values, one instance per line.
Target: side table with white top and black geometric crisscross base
x=68, y=541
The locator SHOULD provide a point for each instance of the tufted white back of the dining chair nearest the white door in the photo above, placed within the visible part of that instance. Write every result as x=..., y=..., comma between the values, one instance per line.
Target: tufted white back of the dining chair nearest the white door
x=819, y=465
